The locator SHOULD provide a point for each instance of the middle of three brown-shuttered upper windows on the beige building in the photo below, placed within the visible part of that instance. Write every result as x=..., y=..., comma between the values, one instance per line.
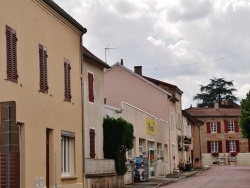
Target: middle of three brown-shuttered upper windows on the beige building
x=43, y=69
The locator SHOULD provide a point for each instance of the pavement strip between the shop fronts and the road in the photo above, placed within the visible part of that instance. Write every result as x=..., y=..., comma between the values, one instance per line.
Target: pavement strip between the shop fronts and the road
x=164, y=180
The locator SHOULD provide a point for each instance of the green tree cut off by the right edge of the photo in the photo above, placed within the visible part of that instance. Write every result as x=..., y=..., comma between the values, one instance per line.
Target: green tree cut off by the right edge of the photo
x=245, y=116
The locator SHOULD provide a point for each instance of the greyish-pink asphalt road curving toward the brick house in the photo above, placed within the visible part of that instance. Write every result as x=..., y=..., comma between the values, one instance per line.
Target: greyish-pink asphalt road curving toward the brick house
x=221, y=176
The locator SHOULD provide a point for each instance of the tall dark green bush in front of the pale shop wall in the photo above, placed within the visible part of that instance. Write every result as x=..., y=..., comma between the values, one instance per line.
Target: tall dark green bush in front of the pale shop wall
x=118, y=139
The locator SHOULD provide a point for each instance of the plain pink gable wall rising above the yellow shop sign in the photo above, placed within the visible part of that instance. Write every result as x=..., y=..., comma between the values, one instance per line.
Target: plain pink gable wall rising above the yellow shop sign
x=120, y=84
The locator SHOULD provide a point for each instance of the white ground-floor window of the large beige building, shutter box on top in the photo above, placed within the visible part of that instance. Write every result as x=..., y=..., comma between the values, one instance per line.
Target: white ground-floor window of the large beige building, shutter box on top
x=67, y=153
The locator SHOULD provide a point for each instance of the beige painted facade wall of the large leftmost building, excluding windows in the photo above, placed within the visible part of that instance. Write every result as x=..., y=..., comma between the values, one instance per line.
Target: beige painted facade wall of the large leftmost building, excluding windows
x=36, y=23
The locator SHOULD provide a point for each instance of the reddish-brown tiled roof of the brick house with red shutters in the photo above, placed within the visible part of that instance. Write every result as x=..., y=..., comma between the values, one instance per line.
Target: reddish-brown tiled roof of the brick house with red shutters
x=212, y=112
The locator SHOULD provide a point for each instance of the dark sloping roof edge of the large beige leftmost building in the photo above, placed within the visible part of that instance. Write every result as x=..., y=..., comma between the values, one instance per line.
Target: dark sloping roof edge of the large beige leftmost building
x=65, y=15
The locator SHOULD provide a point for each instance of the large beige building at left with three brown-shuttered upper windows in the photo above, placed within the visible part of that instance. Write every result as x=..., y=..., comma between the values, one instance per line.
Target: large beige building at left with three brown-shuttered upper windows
x=40, y=74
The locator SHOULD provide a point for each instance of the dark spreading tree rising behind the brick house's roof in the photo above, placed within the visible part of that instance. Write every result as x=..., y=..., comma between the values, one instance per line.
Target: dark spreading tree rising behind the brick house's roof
x=219, y=89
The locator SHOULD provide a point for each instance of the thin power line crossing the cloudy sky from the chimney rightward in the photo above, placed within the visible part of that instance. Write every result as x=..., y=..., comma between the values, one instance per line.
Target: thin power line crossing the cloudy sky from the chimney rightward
x=208, y=61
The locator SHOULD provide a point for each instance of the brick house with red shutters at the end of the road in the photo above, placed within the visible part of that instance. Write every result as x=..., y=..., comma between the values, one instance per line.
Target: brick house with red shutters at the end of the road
x=220, y=137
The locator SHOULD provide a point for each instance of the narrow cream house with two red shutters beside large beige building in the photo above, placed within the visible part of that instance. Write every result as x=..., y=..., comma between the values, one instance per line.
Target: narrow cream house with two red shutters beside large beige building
x=98, y=172
